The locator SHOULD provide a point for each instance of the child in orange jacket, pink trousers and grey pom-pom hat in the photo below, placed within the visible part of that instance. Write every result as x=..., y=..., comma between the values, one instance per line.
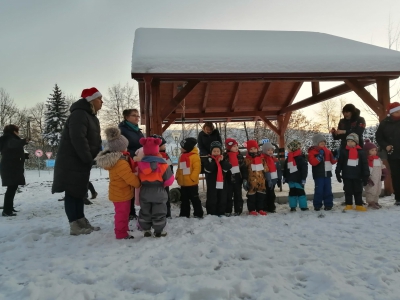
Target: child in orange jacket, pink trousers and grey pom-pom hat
x=119, y=164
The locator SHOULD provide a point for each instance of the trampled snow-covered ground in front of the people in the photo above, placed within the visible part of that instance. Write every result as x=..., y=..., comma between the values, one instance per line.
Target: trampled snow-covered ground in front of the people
x=304, y=255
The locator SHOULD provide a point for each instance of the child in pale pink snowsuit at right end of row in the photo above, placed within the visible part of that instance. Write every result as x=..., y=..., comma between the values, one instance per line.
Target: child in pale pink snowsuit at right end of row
x=377, y=174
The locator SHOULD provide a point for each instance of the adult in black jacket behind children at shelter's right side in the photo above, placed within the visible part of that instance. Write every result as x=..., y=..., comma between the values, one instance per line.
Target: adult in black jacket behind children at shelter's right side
x=351, y=123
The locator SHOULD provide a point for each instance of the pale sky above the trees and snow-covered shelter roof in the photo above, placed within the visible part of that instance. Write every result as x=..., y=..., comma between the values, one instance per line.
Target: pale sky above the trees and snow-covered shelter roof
x=85, y=43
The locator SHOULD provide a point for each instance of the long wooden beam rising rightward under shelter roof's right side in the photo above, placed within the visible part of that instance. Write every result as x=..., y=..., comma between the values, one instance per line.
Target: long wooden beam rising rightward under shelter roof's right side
x=328, y=94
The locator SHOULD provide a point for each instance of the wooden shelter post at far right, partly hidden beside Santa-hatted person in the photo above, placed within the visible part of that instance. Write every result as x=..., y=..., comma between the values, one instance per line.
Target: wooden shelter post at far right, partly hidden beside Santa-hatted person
x=383, y=90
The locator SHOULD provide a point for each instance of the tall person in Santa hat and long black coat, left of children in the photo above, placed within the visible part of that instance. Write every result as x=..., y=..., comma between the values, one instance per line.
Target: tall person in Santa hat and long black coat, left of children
x=80, y=143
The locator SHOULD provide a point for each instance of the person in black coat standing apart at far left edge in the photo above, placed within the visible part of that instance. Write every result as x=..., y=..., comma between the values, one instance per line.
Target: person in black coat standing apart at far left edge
x=11, y=166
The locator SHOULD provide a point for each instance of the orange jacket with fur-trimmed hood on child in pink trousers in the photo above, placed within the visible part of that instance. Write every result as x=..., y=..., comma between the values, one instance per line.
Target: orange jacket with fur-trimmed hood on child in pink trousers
x=122, y=180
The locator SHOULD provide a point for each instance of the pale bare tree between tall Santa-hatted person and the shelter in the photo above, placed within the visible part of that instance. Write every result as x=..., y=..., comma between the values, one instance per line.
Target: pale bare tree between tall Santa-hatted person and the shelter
x=120, y=98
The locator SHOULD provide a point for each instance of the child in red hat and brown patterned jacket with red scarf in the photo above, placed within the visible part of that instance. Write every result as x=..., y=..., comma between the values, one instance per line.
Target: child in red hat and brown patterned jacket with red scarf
x=254, y=179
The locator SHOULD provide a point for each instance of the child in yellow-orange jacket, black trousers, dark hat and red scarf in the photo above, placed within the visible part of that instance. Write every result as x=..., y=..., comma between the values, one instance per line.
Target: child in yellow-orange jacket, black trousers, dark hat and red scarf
x=187, y=176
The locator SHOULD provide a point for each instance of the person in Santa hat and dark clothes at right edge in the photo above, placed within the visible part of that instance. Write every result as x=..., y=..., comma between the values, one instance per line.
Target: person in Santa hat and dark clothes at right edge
x=388, y=138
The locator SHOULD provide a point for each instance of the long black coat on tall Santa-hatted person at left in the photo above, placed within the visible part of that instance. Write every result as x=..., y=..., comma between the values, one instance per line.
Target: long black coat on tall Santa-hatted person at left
x=79, y=145
